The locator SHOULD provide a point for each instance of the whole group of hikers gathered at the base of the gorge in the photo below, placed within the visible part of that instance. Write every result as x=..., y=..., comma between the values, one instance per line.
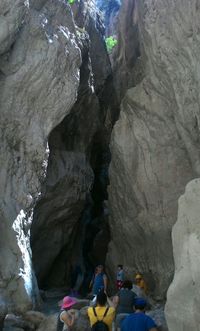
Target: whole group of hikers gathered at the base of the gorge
x=125, y=311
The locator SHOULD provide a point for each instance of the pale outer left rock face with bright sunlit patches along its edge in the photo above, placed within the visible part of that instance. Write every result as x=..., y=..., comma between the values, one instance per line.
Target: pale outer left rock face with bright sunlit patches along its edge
x=39, y=77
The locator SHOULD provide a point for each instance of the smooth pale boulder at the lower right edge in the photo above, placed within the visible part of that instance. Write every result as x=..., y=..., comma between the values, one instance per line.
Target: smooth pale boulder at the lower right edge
x=183, y=303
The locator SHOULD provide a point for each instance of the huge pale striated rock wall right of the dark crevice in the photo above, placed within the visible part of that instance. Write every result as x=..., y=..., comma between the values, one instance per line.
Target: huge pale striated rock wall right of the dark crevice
x=155, y=142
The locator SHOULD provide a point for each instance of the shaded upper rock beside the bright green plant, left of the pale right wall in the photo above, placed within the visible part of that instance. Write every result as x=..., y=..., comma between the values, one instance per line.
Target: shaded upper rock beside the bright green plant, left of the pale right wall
x=125, y=57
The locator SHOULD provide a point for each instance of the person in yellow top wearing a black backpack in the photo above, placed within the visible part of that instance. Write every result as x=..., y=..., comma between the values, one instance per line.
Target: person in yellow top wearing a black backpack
x=102, y=312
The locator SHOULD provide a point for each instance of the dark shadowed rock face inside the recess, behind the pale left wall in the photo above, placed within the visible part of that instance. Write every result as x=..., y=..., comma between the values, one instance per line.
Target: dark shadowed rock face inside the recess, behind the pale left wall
x=66, y=207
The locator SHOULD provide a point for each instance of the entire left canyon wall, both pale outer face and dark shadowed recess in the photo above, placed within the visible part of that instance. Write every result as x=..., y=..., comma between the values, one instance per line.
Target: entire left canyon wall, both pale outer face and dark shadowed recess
x=57, y=109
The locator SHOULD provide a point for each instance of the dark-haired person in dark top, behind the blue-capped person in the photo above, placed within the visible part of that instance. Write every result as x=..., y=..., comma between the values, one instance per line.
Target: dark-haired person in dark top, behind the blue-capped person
x=124, y=301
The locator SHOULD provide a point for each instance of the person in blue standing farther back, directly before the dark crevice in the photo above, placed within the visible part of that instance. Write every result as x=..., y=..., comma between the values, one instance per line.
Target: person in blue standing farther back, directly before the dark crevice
x=99, y=281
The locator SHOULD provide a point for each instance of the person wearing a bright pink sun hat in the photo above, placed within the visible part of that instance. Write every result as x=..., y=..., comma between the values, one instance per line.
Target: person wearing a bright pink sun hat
x=66, y=316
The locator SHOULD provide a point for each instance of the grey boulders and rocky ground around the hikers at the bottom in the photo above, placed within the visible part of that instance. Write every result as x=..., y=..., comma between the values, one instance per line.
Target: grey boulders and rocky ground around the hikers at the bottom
x=46, y=318
